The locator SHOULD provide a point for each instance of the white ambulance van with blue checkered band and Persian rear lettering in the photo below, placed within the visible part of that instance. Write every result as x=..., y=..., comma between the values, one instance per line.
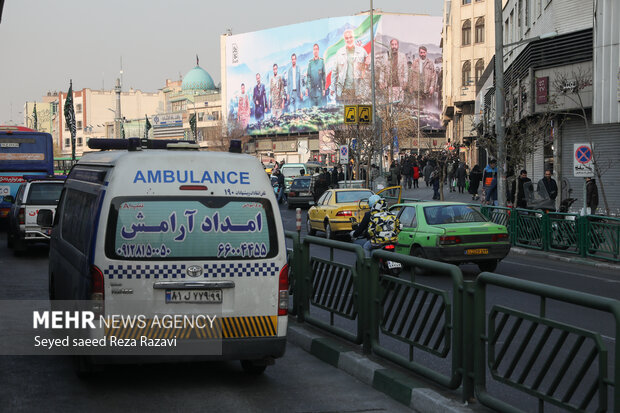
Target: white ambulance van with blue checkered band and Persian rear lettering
x=180, y=231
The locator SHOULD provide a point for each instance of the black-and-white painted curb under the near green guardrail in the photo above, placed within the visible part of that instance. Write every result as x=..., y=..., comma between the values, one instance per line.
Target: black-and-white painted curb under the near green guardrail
x=397, y=385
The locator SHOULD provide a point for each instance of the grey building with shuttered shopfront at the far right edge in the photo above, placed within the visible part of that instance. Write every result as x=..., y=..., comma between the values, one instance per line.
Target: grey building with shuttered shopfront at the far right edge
x=555, y=73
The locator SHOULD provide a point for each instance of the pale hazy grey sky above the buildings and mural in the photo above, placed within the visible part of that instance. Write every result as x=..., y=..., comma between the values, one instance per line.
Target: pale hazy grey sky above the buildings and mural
x=45, y=43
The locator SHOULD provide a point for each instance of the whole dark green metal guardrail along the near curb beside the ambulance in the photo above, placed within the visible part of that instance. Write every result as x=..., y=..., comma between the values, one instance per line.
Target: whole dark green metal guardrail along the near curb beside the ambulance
x=553, y=362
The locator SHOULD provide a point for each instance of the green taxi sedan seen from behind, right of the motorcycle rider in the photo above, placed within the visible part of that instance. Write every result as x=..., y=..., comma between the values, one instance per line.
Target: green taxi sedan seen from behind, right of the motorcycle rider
x=450, y=232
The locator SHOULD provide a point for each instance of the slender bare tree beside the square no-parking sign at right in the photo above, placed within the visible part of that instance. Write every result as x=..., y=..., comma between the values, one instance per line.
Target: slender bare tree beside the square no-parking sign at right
x=572, y=86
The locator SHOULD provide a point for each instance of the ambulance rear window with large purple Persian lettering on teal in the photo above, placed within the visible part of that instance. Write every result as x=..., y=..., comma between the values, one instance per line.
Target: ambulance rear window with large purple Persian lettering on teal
x=172, y=228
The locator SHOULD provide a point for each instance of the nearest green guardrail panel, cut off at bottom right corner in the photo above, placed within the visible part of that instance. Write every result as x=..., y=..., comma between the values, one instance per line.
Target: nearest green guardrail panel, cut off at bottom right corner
x=571, y=362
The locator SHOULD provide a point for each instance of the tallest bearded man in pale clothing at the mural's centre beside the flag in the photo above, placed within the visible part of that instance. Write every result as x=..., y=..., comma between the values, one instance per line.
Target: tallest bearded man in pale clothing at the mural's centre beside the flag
x=350, y=69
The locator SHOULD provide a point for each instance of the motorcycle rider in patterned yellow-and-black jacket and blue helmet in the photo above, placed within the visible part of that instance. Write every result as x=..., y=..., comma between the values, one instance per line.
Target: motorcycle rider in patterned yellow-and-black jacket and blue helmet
x=379, y=226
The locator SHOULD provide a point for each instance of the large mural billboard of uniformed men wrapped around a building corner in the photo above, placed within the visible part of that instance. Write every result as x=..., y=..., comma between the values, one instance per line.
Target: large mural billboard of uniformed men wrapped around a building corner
x=297, y=78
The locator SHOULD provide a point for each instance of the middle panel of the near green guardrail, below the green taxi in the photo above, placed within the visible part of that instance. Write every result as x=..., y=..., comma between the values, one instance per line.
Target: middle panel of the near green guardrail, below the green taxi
x=420, y=316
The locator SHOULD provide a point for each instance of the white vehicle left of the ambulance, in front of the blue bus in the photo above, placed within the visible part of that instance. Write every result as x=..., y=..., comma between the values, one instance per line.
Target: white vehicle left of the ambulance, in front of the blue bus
x=31, y=196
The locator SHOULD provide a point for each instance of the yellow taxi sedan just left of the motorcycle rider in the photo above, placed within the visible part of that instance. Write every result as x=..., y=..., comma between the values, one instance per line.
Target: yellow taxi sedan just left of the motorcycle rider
x=334, y=210
